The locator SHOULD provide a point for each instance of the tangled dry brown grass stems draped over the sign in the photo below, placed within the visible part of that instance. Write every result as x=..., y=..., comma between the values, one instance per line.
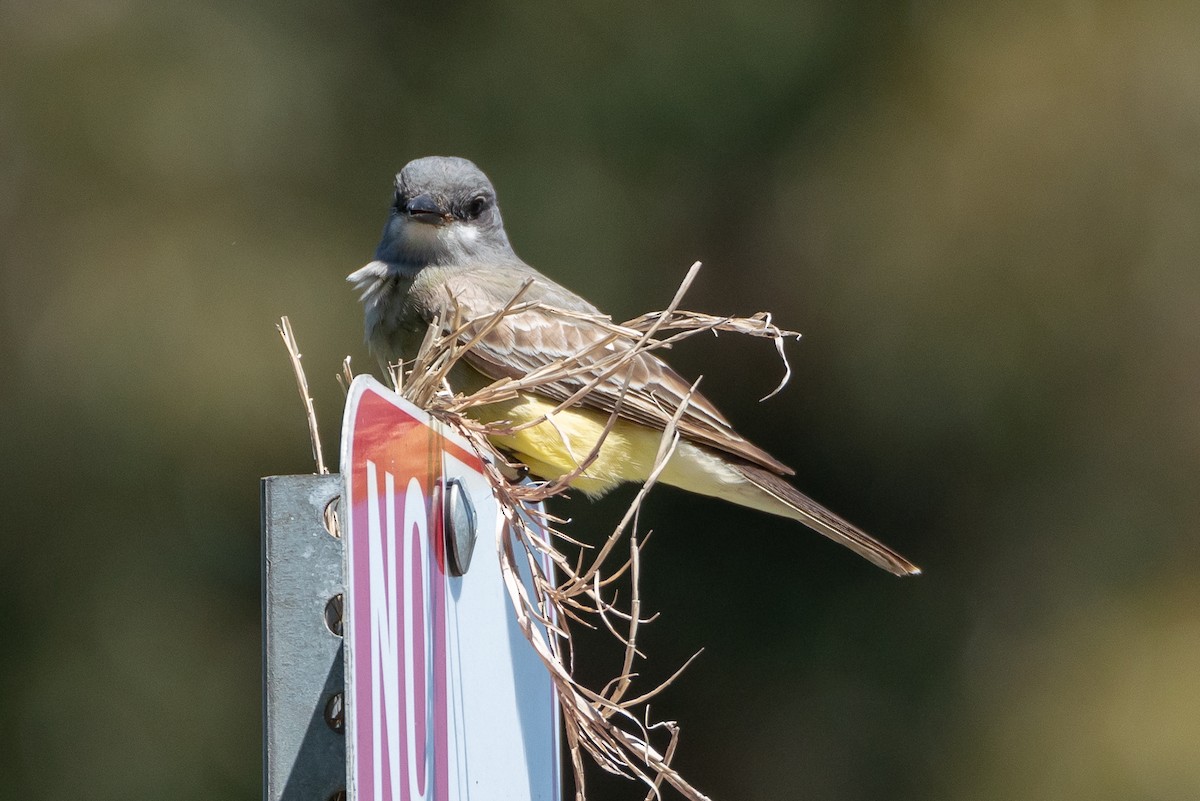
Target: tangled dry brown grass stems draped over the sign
x=613, y=722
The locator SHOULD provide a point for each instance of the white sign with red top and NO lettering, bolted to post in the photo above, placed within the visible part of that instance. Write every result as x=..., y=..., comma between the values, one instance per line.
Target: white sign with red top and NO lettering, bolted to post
x=446, y=698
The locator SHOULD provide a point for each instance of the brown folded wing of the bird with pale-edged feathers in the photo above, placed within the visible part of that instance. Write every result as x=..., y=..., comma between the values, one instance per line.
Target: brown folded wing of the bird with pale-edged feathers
x=526, y=341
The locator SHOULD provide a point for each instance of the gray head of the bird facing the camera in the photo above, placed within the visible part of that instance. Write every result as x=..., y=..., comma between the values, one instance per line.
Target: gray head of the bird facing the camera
x=443, y=212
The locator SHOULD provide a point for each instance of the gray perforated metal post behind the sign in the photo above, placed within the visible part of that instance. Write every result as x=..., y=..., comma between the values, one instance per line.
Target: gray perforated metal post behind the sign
x=304, y=746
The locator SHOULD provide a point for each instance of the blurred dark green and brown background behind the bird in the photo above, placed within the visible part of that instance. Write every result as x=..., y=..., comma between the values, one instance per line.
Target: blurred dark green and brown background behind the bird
x=985, y=218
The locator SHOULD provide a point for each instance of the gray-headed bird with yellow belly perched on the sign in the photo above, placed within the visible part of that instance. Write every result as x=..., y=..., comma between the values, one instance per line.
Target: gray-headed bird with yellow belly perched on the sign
x=445, y=251
